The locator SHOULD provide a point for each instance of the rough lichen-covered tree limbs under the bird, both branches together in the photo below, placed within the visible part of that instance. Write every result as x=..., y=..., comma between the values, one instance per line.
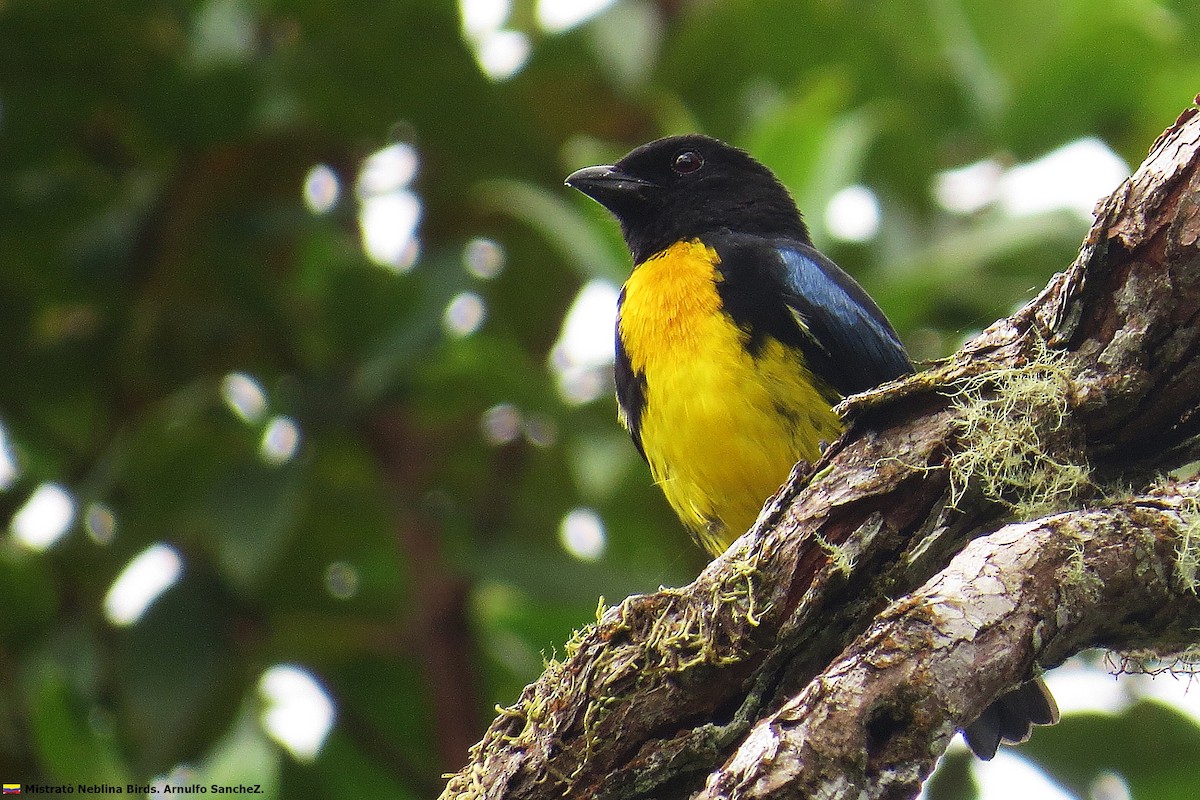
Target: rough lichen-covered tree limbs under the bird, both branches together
x=1011, y=498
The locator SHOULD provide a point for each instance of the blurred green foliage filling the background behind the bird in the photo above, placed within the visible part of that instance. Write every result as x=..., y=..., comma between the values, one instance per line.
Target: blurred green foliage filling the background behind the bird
x=157, y=239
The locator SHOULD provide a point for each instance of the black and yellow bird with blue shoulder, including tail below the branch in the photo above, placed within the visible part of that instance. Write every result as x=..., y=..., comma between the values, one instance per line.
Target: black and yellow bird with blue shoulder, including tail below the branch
x=736, y=338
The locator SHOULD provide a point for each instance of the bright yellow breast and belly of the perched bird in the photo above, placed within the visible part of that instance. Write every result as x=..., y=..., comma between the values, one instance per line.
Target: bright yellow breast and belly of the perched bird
x=721, y=429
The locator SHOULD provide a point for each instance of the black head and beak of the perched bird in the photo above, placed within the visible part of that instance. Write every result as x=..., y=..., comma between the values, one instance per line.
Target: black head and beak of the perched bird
x=683, y=188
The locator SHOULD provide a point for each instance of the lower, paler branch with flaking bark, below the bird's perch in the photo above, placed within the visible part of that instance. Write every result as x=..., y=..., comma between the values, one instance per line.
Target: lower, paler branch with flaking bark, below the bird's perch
x=874, y=724
